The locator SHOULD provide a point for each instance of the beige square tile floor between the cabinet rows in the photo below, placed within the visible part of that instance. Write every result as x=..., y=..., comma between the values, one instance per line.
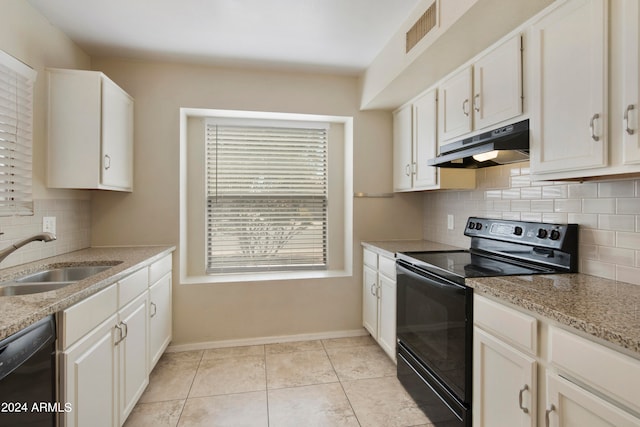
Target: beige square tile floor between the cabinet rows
x=336, y=382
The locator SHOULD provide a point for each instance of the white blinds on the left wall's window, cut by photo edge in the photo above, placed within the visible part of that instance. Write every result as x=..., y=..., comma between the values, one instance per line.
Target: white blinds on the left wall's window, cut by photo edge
x=16, y=122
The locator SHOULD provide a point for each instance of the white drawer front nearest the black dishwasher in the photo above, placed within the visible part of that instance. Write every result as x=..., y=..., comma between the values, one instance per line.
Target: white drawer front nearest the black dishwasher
x=87, y=314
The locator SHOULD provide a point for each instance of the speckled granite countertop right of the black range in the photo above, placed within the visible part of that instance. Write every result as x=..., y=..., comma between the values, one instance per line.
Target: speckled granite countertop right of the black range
x=603, y=308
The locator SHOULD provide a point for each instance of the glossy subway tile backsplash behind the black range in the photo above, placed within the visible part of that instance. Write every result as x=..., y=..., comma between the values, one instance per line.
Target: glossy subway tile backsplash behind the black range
x=608, y=213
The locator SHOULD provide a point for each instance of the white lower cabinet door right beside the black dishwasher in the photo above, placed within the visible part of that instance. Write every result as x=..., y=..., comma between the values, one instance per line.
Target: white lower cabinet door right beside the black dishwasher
x=90, y=377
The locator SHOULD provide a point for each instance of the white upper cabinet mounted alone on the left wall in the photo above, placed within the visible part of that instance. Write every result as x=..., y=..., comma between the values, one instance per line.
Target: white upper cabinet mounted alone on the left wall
x=90, y=132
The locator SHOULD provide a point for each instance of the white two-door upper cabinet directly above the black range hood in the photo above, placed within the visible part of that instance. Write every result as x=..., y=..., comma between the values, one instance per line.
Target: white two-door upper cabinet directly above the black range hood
x=482, y=94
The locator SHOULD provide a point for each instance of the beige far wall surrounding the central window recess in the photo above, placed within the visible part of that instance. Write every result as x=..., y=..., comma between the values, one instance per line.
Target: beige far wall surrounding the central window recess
x=150, y=215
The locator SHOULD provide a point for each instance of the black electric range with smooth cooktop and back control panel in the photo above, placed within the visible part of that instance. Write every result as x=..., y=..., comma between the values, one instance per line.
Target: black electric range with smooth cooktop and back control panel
x=435, y=307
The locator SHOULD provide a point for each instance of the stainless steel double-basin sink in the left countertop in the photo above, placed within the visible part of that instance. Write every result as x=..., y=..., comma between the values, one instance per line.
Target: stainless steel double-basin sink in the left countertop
x=50, y=279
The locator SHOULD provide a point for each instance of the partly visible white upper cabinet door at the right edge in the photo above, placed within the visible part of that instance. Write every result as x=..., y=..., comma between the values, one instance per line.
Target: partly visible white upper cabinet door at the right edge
x=631, y=84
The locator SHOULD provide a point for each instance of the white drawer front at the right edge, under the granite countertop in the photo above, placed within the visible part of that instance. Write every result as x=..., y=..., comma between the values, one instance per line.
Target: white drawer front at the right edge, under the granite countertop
x=593, y=364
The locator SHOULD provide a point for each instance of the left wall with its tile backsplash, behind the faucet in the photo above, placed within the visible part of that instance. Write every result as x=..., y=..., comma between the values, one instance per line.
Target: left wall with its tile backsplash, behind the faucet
x=28, y=36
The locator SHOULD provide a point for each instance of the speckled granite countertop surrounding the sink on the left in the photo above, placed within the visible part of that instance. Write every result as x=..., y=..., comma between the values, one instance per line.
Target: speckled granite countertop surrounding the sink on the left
x=18, y=312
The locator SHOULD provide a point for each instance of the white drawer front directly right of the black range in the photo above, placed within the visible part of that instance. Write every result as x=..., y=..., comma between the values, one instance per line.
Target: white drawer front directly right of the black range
x=517, y=328
